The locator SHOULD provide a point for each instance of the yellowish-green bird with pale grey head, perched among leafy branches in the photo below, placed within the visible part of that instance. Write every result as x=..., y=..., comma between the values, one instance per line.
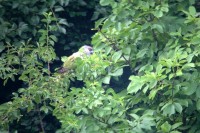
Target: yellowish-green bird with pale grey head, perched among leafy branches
x=83, y=52
